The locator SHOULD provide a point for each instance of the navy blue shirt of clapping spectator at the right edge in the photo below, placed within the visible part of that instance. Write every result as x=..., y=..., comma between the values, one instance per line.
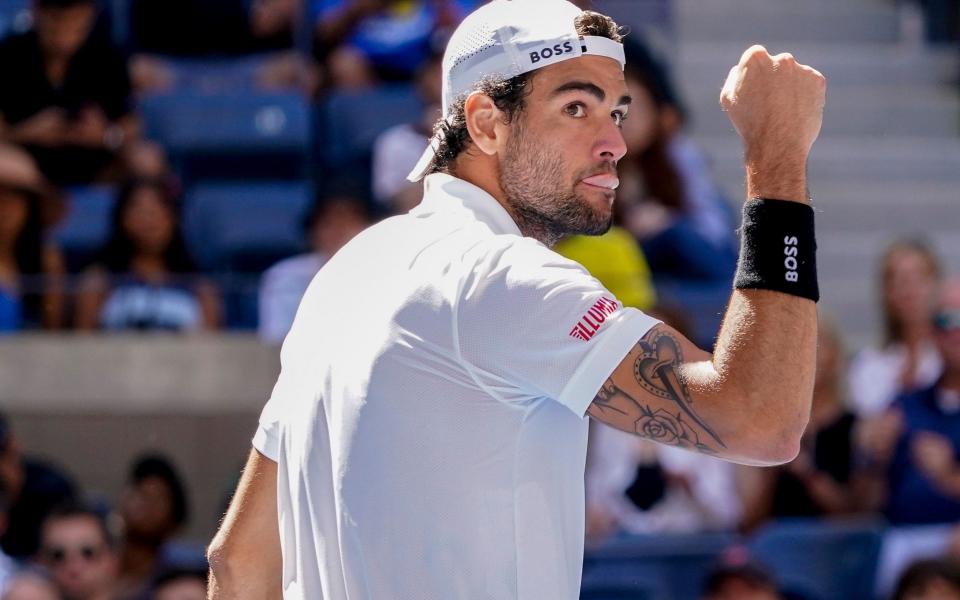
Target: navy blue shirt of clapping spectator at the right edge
x=913, y=499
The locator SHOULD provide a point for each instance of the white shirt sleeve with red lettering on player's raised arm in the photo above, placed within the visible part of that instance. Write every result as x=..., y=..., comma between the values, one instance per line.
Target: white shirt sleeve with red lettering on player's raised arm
x=531, y=324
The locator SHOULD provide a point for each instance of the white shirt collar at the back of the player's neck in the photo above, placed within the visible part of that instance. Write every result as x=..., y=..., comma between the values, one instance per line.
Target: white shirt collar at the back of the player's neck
x=443, y=193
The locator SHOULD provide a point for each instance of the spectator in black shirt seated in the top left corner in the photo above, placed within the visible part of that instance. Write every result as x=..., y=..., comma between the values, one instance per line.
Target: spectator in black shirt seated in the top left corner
x=67, y=98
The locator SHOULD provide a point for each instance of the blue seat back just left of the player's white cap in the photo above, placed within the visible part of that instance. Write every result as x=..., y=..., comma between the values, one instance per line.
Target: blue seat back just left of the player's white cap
x=351, y=121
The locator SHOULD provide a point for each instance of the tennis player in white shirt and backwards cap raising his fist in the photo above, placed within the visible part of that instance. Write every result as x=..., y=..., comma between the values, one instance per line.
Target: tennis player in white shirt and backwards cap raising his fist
x=426, y=437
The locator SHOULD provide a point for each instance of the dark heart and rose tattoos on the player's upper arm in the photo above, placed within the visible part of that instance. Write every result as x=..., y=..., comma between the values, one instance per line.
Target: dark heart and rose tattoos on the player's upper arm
x=656, y=370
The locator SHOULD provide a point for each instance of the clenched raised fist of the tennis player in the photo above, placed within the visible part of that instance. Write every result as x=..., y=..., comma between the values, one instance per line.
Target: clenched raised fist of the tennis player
x=776, y=105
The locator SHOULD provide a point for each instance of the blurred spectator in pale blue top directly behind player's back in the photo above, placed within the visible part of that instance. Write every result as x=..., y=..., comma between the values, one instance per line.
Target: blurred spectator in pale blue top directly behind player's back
x=330, y=224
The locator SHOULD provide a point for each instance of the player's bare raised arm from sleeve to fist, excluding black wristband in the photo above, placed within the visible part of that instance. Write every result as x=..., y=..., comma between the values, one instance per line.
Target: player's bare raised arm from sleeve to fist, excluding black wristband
x=750, y=401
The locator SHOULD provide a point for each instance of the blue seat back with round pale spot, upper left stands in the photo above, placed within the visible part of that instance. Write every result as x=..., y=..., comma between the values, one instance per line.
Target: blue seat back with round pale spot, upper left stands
x=241, y=134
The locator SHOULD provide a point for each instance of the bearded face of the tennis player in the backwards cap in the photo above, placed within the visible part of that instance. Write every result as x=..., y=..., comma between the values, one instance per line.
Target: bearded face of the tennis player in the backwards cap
x=558, y=171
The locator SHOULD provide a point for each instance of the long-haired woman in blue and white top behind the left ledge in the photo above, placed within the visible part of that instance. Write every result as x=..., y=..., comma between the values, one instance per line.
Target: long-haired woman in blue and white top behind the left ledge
x=144, y=278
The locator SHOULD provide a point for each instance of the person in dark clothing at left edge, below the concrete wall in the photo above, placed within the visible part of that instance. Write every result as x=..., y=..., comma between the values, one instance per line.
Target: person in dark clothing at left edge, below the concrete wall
x=34, y=489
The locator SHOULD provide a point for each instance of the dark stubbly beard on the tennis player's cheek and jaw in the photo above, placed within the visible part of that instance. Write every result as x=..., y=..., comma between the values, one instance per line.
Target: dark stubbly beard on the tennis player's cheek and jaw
x=546, y=207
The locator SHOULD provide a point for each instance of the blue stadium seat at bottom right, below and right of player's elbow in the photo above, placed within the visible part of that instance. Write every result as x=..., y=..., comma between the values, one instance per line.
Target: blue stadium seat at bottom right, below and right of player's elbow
x=819, y=558
